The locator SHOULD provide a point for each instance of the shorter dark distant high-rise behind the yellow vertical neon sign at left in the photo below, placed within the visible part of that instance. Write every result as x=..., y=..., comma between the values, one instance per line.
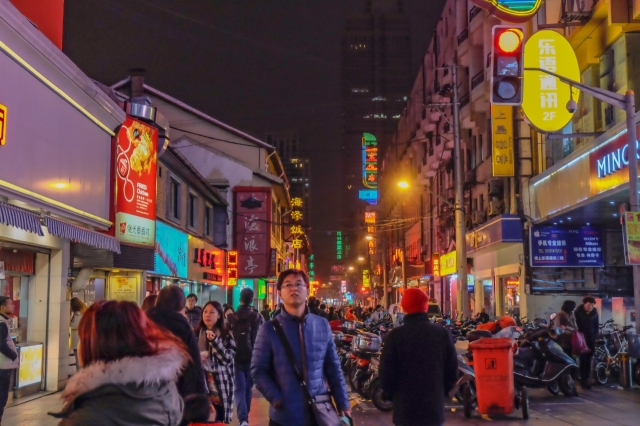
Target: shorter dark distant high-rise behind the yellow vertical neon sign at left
x=296, y=166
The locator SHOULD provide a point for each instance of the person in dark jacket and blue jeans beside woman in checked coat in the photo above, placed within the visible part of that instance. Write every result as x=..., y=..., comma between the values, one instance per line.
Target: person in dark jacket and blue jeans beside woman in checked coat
x=244, y=325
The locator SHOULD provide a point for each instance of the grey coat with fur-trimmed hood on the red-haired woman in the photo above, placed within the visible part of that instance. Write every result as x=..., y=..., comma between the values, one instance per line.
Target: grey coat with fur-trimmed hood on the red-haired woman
x=126, y=392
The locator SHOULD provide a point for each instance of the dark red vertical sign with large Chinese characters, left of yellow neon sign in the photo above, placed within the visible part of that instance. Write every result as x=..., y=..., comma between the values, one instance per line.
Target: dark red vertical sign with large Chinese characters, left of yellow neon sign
x=252, y=226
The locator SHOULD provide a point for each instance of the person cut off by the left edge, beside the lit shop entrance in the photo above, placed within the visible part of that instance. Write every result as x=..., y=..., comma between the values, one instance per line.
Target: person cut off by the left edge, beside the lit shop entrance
x=8, y=355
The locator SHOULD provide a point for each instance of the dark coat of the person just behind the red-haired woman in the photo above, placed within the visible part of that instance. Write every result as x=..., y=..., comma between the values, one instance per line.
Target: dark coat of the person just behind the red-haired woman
x=192, y=379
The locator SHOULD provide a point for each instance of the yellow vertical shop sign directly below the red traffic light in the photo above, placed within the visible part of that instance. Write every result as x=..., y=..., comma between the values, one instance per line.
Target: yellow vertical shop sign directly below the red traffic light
x=502, y=159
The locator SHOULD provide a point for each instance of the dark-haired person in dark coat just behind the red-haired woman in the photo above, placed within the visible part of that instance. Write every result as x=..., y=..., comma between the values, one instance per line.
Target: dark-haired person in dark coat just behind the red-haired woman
x=169, y=314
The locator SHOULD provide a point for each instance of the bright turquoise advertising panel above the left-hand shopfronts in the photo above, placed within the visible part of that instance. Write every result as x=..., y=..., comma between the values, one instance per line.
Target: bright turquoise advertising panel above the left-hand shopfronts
x=171, y=252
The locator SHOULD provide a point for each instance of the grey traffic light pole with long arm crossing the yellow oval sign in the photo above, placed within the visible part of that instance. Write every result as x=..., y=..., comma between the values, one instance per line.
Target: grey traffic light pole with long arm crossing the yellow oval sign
x=627, y=103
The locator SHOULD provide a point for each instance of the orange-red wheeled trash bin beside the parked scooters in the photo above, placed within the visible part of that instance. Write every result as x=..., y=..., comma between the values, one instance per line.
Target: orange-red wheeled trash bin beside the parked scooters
x=493, y=365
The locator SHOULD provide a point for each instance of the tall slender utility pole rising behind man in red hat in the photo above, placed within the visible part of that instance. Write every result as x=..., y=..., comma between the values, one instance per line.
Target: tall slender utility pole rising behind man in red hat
x=461, y=242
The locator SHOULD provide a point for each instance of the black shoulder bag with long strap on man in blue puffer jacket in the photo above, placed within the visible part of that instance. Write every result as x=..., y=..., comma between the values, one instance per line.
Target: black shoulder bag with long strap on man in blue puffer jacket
x=322, y=408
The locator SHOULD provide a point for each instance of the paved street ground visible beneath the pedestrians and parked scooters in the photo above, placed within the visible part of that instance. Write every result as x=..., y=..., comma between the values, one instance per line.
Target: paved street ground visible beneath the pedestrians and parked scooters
x=602, y=406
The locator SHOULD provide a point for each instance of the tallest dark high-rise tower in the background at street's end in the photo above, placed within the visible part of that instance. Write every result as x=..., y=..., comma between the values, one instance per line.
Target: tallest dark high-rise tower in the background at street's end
x=376, y=78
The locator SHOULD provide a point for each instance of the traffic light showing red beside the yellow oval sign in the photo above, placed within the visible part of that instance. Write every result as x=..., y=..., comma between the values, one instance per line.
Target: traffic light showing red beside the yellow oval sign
x=507, y=65
